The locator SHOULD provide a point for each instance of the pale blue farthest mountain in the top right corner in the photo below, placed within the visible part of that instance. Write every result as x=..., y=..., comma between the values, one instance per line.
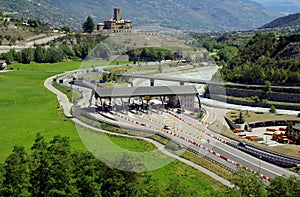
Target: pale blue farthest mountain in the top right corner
x=283, y=6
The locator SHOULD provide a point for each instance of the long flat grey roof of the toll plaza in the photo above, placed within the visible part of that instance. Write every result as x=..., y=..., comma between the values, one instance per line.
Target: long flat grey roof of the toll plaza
x=146, y=91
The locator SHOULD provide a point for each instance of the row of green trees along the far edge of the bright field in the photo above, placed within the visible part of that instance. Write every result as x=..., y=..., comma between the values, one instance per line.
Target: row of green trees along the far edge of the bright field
x=55, y=52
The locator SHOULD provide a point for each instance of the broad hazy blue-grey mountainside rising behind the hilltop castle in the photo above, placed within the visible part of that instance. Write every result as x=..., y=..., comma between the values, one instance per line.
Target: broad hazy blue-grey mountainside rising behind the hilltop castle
x=204, y=15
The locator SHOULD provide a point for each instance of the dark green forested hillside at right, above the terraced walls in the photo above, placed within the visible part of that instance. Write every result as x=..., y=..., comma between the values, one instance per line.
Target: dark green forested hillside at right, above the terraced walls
x=266, y=57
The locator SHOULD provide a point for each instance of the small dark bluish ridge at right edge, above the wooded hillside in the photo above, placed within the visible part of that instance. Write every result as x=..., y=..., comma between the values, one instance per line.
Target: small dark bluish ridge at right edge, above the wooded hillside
x=286, y=21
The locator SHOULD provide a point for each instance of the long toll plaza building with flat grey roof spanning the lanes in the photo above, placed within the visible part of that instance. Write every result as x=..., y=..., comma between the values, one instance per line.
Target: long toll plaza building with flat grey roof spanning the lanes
x=170, y=96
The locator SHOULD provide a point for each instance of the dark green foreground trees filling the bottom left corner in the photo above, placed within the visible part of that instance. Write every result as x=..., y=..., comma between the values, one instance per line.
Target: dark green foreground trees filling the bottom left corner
x=53, y=169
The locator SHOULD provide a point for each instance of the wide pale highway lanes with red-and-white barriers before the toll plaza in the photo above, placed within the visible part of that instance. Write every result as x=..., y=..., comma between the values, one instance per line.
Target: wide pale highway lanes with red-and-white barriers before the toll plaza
x=189, y=131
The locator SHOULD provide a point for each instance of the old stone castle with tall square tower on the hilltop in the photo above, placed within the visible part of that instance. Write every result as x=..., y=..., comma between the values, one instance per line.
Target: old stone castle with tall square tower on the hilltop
x=116, y=24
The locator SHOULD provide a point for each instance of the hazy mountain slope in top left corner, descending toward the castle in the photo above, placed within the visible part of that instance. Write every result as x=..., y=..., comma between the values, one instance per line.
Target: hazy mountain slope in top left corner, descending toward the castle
x=38, y=9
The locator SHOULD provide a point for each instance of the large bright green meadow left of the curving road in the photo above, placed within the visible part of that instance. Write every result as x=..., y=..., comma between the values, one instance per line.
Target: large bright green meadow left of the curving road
x=27, y=107
